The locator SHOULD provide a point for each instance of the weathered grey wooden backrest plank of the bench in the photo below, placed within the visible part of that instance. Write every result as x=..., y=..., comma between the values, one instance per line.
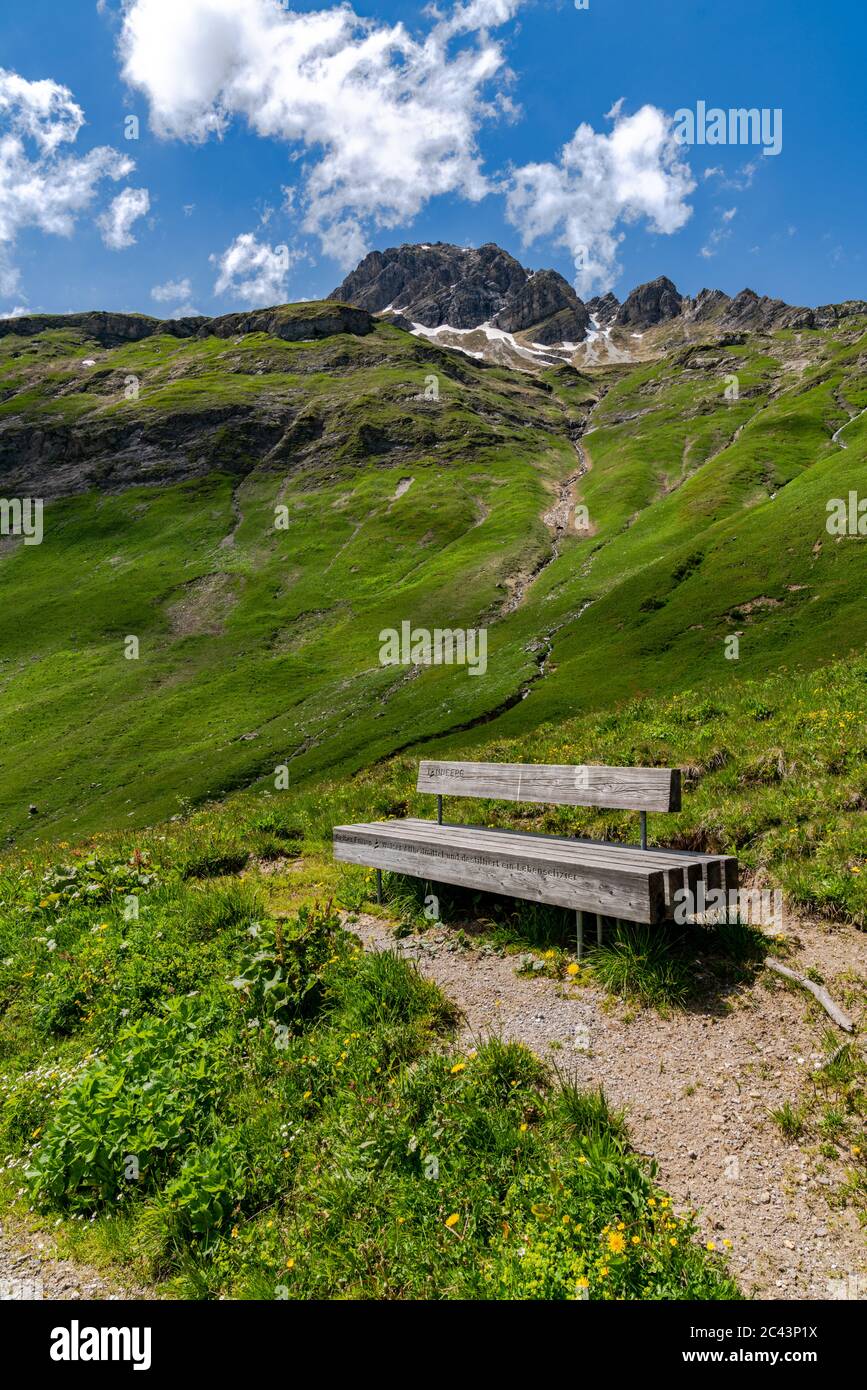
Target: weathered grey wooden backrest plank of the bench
x=618, y=789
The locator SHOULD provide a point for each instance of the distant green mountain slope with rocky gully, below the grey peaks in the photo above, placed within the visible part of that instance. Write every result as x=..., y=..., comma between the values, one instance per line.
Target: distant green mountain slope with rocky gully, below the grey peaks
x=259, y=646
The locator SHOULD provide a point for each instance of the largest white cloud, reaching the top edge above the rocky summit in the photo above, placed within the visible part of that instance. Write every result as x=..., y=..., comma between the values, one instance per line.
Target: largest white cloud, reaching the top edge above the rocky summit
x=390, y=119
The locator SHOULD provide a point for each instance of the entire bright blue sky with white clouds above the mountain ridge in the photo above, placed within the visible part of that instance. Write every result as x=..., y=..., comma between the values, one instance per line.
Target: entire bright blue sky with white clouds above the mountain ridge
x=277, y=145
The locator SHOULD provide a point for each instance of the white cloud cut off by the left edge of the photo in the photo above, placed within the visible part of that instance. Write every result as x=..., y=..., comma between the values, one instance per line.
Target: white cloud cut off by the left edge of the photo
x=40, y=187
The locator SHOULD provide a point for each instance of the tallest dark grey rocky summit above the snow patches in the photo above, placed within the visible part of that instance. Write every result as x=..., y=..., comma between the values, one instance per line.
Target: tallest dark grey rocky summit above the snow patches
x=463, y=288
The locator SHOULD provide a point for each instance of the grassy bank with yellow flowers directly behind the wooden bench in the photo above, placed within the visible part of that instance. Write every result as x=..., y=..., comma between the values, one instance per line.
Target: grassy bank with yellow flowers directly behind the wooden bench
x=775, y=772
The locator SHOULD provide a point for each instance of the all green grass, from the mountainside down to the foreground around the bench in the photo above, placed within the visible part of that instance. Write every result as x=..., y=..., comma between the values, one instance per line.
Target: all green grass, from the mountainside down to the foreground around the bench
x=286, y=1099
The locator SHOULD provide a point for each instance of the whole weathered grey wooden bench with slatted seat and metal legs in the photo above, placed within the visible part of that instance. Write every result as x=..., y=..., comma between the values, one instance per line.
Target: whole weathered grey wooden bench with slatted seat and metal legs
x=594, y=878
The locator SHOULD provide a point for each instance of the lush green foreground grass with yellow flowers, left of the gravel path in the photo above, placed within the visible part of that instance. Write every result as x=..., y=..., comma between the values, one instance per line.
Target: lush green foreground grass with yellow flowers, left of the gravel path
x=234, y=1104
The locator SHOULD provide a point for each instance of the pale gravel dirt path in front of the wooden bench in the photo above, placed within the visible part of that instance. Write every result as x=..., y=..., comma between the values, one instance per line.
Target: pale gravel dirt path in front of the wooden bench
x=697, y=1088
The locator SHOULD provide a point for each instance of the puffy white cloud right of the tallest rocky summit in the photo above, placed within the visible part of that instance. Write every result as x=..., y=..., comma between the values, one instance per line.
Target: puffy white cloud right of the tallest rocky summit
x=600, y=184
